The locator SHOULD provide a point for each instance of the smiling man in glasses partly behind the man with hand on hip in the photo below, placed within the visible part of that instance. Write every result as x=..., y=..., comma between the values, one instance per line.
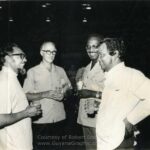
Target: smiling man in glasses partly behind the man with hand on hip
x=89, y=85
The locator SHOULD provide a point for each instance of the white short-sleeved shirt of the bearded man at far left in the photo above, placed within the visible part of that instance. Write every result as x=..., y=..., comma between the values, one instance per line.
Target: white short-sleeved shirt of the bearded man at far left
x=12, y=100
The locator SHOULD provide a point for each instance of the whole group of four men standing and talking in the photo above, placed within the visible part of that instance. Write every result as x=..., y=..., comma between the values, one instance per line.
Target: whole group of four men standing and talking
x=113, y=97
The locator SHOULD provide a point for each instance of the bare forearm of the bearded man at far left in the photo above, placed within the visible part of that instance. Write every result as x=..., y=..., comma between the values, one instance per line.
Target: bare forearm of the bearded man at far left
x=9, y=119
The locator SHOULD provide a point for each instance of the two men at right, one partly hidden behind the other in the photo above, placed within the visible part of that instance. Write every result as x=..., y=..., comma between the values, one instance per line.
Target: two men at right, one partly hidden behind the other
x=115, y=99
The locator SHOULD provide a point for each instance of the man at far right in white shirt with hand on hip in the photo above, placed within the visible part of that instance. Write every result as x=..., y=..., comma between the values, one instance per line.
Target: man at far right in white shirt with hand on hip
x=125, y=97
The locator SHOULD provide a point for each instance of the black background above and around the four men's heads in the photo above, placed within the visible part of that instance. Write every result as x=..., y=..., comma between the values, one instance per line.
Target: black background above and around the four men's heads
x=124, y=18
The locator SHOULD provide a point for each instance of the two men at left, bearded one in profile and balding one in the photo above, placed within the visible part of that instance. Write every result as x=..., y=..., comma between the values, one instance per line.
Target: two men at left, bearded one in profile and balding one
x=45, y=87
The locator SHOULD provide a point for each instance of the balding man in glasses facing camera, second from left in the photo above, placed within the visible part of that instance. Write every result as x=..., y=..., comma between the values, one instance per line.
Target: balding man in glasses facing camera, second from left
x=47, y=84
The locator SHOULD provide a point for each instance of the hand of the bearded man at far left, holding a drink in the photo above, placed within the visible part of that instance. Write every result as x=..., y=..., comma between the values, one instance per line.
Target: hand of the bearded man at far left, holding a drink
x=33, y=110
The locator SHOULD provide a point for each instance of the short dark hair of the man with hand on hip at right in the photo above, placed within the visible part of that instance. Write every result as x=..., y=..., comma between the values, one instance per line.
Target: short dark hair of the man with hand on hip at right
x=114, y=44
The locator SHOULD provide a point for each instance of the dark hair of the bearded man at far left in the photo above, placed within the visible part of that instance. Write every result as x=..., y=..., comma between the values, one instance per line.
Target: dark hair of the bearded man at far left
x=5, y=50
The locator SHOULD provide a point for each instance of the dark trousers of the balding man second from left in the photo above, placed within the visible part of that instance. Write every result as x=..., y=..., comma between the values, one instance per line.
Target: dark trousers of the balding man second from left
x=48, y=136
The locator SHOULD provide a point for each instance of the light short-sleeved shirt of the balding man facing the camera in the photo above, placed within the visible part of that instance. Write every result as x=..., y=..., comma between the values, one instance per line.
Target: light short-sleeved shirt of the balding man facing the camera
x=40, y=79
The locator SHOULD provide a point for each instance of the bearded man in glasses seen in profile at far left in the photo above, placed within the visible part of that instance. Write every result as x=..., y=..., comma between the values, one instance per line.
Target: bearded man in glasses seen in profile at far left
x=15, y=112
